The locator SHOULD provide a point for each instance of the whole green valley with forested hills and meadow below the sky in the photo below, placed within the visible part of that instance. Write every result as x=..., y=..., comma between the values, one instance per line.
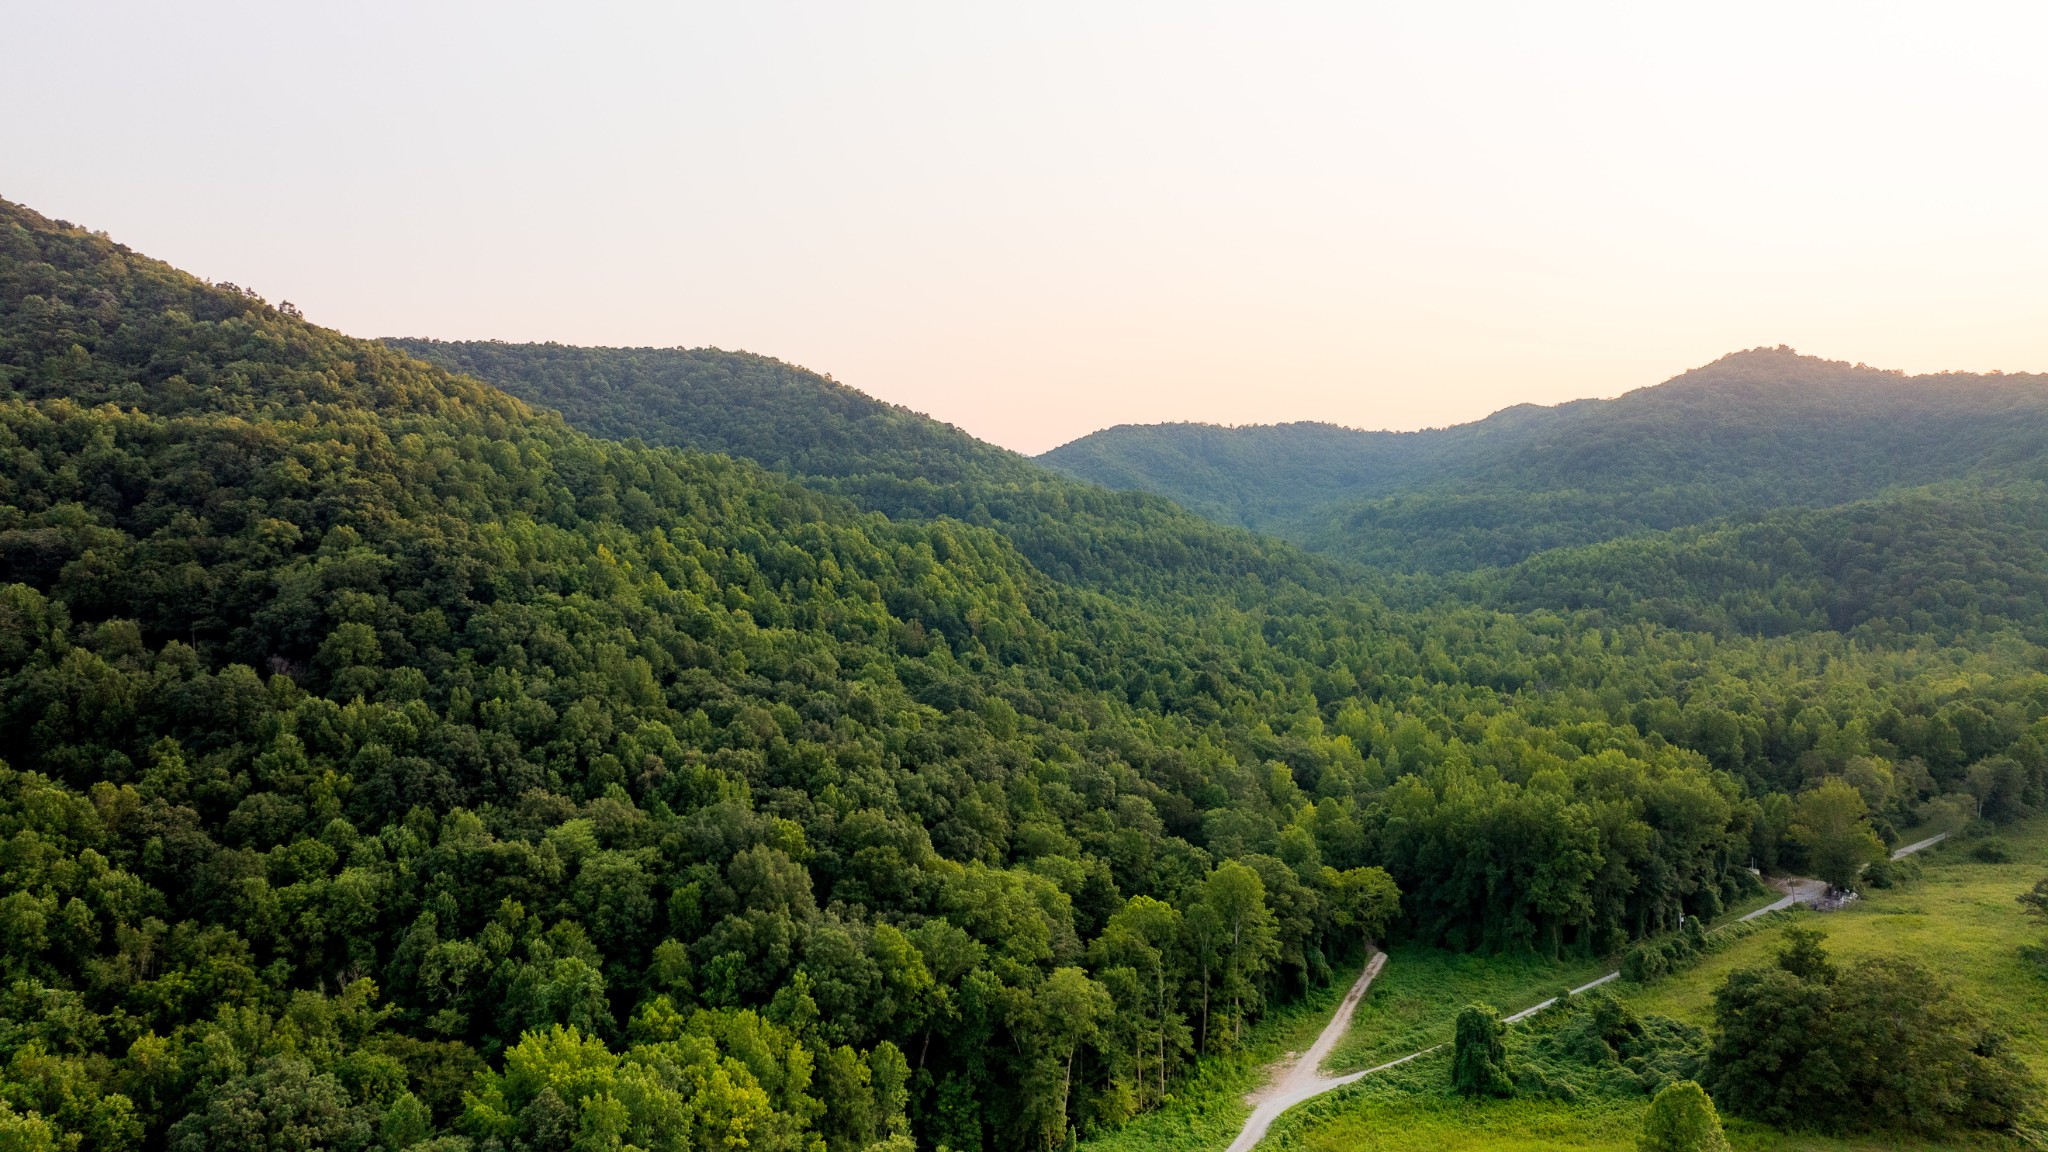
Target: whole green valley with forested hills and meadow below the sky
x=474, y=747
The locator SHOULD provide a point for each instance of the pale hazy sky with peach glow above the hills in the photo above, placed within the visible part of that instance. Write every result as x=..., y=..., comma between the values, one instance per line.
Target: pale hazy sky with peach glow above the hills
x=1041, y=220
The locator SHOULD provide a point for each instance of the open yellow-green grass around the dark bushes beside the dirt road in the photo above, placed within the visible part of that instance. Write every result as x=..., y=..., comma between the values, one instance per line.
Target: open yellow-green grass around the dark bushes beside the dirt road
x=1959, y=917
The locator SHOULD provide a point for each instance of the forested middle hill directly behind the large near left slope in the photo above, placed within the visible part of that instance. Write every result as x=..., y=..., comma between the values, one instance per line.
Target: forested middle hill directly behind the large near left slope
x=886, y=458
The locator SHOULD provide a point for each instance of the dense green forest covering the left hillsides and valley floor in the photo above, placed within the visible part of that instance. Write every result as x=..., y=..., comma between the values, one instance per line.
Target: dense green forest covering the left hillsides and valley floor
x=392, y=764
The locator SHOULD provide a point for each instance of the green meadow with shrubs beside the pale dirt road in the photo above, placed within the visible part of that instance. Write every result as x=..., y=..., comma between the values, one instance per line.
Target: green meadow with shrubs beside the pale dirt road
x=1947, y=948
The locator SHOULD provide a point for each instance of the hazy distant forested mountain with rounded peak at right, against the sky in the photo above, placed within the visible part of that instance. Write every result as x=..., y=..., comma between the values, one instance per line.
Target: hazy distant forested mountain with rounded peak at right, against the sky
x=1750, y=434
